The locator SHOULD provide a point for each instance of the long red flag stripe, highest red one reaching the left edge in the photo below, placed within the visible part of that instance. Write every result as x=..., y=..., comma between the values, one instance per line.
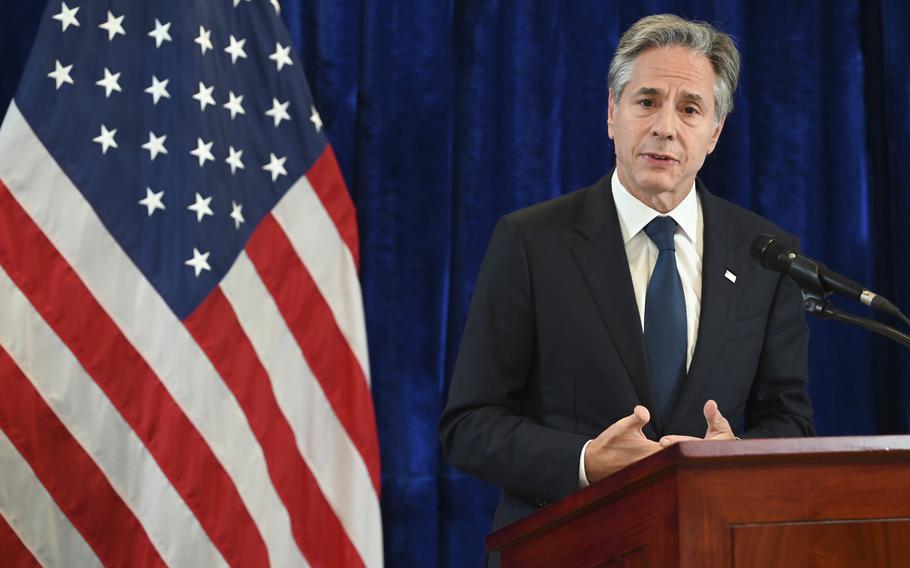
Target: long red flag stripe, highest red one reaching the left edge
x=66, y=304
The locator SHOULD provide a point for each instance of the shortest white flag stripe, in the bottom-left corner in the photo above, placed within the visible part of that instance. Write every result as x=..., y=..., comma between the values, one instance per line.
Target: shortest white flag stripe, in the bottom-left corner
x=34, y=516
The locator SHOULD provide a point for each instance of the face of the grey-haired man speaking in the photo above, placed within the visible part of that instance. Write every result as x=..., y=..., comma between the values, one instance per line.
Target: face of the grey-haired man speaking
x=663, y=126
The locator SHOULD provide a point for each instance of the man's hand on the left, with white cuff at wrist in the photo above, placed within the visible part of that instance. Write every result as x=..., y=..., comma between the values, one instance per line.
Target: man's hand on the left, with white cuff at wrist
x=622, y=444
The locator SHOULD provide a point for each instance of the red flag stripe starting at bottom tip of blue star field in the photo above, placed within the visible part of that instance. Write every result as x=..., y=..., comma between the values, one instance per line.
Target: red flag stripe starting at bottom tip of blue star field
x=317, y=530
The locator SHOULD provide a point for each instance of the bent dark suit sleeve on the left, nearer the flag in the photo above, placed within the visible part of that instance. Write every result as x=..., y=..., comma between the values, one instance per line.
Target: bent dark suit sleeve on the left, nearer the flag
x=483, y=429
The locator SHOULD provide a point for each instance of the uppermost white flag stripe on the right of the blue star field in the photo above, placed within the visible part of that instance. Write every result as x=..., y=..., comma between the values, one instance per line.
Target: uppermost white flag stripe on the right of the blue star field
x=316, y=241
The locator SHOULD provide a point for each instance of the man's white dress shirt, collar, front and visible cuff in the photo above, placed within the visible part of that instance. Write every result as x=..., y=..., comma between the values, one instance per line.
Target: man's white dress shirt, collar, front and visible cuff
x=642, y=253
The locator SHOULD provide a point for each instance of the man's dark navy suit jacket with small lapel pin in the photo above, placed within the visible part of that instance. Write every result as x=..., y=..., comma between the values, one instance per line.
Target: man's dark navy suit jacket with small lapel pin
x=552, y=352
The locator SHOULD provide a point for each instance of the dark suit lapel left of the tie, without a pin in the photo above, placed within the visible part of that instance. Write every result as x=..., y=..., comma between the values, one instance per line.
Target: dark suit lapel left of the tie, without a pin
x=601, y=257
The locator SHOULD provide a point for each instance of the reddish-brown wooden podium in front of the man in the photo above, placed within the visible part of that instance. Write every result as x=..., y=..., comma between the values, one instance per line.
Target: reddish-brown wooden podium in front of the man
x=786, y=502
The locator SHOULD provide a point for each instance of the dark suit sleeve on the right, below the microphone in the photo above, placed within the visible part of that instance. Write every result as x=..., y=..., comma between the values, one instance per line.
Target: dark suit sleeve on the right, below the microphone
x=779, y=404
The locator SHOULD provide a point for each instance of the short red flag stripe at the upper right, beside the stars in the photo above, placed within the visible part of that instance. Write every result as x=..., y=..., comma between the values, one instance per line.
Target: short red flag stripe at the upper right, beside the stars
x=325, y=177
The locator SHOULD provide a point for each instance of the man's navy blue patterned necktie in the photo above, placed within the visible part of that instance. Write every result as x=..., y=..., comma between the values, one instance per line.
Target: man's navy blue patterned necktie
x=665, y=320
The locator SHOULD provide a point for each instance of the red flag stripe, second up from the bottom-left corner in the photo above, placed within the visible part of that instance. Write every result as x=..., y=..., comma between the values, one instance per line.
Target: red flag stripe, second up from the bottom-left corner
x=91, y=504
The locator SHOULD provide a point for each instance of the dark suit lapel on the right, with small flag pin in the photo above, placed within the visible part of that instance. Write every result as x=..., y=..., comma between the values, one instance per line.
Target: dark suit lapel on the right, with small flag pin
x=723, y=252
